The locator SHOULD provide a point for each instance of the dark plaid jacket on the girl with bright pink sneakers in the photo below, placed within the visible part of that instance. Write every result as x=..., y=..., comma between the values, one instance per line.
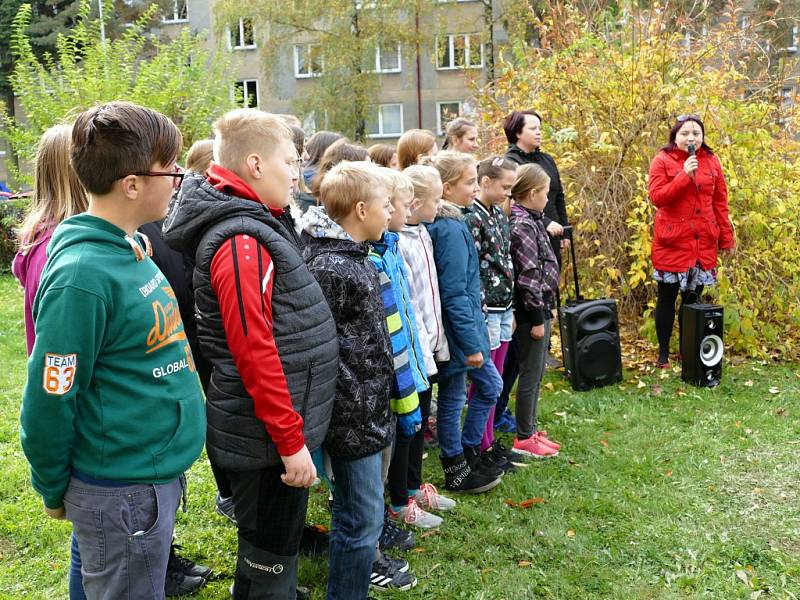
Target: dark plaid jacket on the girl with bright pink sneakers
x=535, y=265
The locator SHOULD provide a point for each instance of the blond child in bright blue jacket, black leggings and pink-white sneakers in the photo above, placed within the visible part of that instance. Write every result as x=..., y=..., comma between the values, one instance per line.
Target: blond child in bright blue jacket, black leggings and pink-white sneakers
x=388, y=260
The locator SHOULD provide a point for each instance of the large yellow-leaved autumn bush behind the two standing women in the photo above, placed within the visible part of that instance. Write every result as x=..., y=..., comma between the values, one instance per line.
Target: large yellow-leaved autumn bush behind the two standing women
x=607, y=102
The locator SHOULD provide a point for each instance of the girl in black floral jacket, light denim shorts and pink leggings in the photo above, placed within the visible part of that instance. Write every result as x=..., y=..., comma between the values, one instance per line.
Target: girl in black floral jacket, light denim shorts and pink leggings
x=489, y=228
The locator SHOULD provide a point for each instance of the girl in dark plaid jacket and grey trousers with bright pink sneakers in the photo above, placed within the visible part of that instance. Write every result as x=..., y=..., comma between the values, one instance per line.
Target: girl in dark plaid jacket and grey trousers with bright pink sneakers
x=535, y=285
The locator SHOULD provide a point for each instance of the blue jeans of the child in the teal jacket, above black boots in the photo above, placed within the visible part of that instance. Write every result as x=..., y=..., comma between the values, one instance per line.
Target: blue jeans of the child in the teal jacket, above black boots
x=451, y=399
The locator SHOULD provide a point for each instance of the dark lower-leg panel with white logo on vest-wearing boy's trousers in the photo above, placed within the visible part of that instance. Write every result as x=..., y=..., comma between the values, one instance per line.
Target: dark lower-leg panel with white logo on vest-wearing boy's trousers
x=262, y=575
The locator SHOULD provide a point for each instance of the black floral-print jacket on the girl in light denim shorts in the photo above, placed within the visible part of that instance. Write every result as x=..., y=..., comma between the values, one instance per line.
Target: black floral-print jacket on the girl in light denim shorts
x=489, y=229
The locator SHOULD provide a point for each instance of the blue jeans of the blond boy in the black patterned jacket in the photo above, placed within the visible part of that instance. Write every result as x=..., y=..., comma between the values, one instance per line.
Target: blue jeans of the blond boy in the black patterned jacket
x=357, y=523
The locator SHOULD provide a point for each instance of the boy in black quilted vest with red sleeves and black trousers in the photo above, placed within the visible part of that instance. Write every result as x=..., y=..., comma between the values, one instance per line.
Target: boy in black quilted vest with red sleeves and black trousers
x=265, y=326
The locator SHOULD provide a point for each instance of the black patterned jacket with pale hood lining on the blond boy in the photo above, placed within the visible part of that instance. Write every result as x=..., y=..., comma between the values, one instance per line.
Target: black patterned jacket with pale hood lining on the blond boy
x=362, y=423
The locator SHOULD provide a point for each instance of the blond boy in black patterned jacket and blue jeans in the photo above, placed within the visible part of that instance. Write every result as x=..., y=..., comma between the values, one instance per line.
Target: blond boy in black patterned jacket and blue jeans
x=357, y=209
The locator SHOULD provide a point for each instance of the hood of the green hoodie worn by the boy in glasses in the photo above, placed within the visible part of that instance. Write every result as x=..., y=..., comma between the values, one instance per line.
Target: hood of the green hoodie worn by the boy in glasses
x=87, y=228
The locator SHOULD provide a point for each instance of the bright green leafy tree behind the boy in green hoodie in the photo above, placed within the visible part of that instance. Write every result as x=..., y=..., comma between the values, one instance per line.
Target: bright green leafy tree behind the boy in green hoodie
x=179, y=78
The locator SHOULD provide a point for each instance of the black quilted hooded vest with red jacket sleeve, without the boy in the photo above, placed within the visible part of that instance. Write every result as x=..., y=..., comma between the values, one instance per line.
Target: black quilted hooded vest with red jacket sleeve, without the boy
x=262, y=322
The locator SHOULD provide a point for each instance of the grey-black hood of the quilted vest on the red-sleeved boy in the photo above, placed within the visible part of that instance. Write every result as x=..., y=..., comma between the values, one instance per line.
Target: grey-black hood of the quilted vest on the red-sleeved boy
x=200, y=205
